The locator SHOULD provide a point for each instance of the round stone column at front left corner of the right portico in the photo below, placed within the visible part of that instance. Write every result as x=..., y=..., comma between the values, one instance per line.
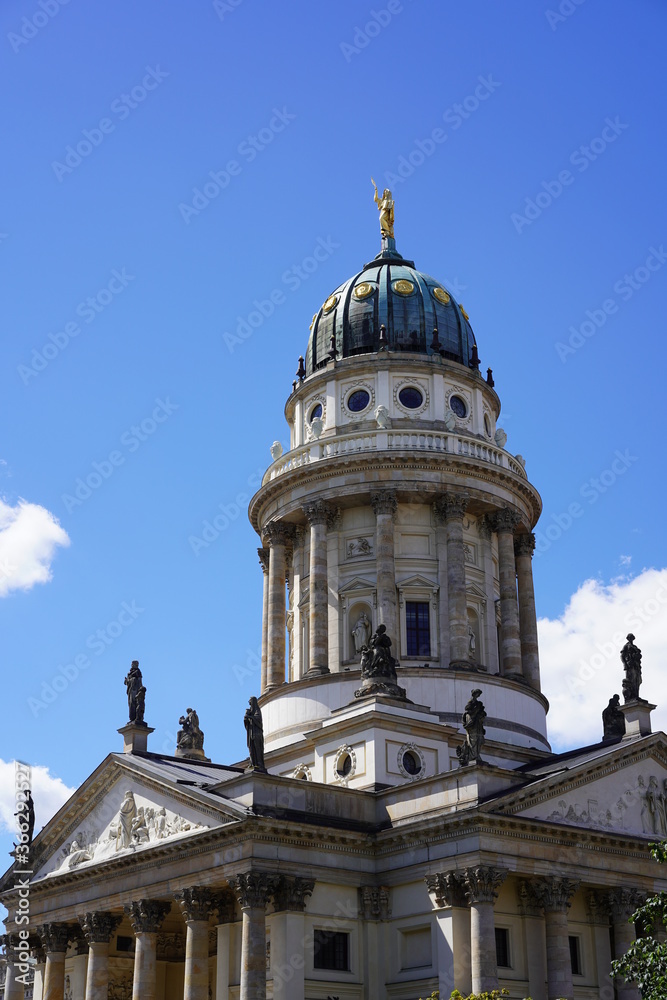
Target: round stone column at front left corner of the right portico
x=482, y=883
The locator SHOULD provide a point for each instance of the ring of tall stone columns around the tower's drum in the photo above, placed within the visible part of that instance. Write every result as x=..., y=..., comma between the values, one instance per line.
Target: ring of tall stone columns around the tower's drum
x=518, y=653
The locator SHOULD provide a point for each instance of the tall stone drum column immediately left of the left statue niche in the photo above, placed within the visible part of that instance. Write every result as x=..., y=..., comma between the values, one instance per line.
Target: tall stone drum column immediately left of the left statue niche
x=317, y=514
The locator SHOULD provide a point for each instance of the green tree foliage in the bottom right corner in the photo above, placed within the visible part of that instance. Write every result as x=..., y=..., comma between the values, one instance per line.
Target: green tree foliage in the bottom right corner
x=645, y=962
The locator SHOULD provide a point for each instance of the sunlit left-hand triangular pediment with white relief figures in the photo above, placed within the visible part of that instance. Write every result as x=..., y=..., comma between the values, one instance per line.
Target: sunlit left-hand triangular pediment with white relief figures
x=120, y=812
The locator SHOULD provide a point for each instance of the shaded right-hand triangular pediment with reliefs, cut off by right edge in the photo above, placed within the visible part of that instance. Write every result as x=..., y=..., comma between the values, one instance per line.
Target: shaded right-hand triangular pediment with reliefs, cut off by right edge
x=625, y=796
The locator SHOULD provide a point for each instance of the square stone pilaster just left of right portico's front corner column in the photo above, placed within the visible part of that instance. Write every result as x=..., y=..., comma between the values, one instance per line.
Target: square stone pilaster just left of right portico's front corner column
x=453, y=932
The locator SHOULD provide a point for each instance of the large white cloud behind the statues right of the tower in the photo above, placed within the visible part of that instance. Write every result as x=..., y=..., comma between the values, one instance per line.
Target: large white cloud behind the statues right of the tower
x=580, y=654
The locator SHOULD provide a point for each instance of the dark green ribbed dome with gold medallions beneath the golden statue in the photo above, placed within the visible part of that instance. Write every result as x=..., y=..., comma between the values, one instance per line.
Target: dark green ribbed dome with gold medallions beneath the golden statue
x=390, y=292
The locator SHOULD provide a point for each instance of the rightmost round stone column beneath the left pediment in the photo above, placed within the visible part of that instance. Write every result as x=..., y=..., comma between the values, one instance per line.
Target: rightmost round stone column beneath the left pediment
x=252, y=892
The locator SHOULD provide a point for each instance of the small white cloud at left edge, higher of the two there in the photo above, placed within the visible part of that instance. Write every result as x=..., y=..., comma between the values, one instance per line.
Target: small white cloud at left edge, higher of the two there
x=29, y=536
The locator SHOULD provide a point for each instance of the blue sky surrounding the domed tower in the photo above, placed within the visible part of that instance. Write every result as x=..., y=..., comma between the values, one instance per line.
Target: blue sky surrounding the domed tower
x=539, y=200
